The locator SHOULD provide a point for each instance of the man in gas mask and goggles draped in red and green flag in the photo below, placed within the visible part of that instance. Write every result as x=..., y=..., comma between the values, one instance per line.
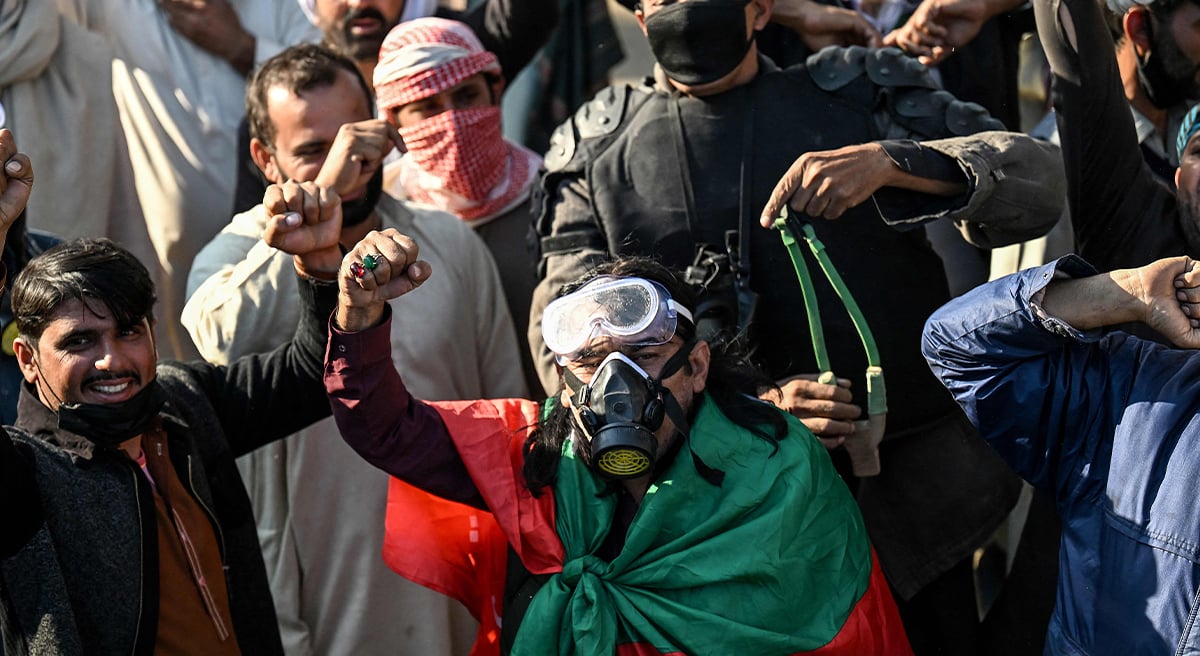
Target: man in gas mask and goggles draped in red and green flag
x=655, y=505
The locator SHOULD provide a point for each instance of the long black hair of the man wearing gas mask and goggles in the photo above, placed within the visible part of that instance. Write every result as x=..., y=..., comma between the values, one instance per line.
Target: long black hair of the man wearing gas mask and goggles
x=734, y=382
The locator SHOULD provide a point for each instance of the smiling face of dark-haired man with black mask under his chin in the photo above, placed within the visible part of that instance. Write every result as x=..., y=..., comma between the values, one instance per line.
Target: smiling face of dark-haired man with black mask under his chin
x=83, y=357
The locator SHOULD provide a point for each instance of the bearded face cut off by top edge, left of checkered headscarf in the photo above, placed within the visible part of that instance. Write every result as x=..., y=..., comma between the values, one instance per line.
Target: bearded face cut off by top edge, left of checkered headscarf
x=358, y=28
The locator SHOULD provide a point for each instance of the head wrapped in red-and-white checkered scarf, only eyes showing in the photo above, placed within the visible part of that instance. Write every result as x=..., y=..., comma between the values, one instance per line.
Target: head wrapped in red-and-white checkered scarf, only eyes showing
x=441, y=91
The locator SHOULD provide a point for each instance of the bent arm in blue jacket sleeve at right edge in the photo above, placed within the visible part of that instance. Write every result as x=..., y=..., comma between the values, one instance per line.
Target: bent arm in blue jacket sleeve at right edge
x=1039, y=389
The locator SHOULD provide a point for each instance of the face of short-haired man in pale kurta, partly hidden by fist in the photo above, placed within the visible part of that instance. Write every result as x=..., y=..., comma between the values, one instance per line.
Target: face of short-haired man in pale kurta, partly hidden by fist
x=307, y=127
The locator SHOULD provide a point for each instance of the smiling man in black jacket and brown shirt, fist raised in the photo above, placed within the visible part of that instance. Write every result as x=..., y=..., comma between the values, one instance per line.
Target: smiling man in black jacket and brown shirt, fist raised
x=127, y=527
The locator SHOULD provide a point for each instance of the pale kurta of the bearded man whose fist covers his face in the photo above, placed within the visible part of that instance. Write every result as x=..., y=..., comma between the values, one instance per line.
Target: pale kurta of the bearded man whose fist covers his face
x=320, y=507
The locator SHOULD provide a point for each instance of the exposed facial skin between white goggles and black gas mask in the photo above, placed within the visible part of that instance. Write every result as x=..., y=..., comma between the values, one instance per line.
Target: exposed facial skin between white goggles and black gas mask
x=686, y=384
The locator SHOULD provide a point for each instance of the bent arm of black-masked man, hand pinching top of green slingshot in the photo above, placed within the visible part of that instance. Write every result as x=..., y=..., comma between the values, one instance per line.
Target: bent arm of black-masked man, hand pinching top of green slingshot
x=934, y=158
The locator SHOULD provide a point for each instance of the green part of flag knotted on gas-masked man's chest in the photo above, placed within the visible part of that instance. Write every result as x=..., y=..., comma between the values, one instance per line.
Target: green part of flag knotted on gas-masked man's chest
x=772, y=562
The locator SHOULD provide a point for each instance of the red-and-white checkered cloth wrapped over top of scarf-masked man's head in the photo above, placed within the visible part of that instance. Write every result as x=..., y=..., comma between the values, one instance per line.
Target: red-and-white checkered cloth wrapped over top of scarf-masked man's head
x=427, y=57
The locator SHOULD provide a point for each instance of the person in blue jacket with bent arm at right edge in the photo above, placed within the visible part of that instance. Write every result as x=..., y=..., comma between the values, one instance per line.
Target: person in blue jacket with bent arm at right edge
x=1103, y=422
